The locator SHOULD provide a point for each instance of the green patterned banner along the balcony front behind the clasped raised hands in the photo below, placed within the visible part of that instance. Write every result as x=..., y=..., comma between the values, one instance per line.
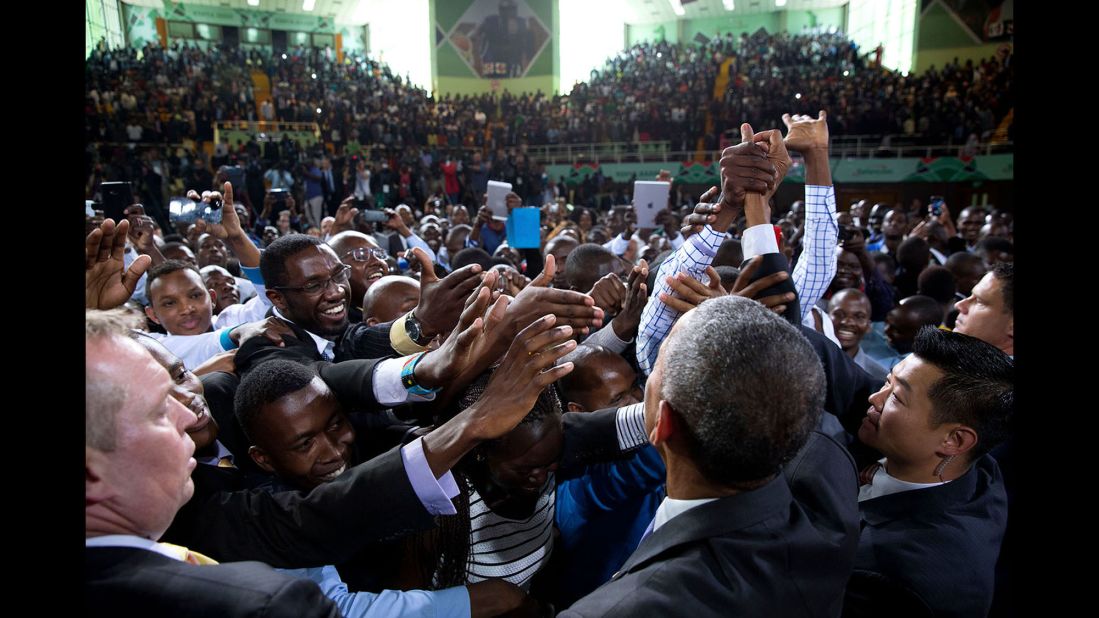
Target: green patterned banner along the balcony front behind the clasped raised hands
x=936, y=170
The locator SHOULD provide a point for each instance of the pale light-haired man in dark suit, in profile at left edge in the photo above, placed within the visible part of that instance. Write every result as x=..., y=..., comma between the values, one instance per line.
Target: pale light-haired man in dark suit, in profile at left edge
x=145, y=428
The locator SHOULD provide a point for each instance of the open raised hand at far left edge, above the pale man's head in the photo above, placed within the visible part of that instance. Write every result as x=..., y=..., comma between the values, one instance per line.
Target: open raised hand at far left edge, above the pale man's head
x=107, y=282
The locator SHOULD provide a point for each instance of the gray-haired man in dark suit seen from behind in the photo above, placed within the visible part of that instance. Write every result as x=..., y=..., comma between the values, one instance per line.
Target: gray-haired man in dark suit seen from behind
x=734, y=396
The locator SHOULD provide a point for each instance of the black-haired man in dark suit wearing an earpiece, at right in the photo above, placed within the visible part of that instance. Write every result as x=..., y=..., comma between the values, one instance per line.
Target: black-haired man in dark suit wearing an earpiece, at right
x=935, y=509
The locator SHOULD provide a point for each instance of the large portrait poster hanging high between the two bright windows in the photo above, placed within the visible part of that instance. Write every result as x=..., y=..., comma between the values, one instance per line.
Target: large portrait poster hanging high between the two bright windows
x=494, y=40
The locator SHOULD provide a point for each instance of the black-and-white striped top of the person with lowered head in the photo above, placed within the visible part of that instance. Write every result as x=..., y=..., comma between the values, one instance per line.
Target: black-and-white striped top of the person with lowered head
x=510, y=549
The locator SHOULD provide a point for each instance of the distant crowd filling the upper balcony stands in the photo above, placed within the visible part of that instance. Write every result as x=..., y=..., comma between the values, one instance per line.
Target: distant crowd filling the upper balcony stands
x=649, y=92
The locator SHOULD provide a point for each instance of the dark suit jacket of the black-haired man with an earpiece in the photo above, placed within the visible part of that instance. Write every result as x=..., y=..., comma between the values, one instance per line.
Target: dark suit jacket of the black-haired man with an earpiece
x=940, y=544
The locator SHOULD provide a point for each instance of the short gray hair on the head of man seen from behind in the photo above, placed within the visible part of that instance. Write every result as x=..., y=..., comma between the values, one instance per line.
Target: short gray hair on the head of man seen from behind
x=748, y=387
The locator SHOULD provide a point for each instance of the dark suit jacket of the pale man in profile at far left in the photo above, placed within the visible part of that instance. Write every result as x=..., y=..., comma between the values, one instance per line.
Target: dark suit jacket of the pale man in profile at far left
x=136, y=582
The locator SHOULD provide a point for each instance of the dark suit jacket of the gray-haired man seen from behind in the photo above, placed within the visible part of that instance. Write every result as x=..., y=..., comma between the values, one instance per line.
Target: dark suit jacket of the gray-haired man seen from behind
x=756, y=554
